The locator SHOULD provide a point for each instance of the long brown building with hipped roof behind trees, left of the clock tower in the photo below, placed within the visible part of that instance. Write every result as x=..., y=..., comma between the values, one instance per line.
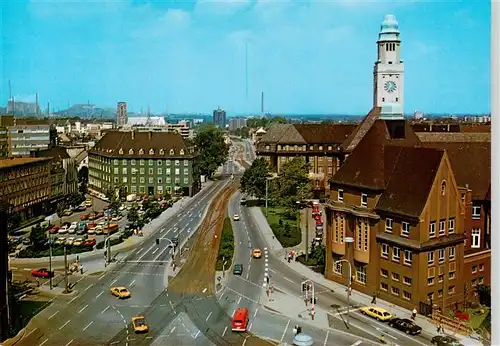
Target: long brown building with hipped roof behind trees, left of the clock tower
x=318, y=144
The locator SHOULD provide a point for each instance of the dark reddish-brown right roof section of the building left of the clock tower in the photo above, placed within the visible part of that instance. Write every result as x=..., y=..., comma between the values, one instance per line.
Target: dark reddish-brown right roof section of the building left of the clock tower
x=325, y=133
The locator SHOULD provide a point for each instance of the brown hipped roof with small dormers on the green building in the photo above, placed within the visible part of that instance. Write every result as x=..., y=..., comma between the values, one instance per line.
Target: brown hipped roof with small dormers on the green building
x=130, y=144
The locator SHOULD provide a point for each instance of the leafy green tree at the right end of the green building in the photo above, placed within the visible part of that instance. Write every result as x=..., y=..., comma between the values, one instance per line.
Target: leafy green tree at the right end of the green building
x=213, y=149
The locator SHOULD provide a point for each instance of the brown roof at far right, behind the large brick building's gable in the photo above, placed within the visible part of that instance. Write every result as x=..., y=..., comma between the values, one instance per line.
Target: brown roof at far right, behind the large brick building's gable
x=471, y=163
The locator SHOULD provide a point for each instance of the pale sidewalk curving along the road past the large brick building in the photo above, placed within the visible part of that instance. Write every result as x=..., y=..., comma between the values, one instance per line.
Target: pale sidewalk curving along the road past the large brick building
x=357, y=298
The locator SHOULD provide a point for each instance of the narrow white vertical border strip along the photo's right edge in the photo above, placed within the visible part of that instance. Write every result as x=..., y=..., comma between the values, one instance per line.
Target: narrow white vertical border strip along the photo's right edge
x=495, y=174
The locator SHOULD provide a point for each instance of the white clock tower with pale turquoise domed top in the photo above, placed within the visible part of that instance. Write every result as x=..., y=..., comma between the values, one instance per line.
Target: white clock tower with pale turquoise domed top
x=388, y=72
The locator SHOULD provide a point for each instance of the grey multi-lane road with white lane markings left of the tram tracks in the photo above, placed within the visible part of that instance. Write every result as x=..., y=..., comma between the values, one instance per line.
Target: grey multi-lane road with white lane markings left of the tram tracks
x=91, y=315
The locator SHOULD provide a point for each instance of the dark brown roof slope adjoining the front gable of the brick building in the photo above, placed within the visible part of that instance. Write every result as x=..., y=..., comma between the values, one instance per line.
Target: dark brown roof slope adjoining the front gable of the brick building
x=409, y=174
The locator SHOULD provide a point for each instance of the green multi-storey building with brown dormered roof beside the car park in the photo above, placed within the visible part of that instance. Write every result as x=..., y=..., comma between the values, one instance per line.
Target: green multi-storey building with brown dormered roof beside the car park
x=144, y=163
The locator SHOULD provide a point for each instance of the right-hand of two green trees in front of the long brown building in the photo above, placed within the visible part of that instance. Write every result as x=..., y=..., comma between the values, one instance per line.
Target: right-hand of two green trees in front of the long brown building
x=292, y=184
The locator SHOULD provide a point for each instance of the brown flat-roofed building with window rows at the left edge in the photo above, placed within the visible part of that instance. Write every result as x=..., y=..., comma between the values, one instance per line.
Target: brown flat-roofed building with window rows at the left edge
x=25, y=185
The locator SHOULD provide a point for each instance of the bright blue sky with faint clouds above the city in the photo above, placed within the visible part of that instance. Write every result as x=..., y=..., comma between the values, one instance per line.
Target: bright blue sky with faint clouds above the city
x=307, y=56
